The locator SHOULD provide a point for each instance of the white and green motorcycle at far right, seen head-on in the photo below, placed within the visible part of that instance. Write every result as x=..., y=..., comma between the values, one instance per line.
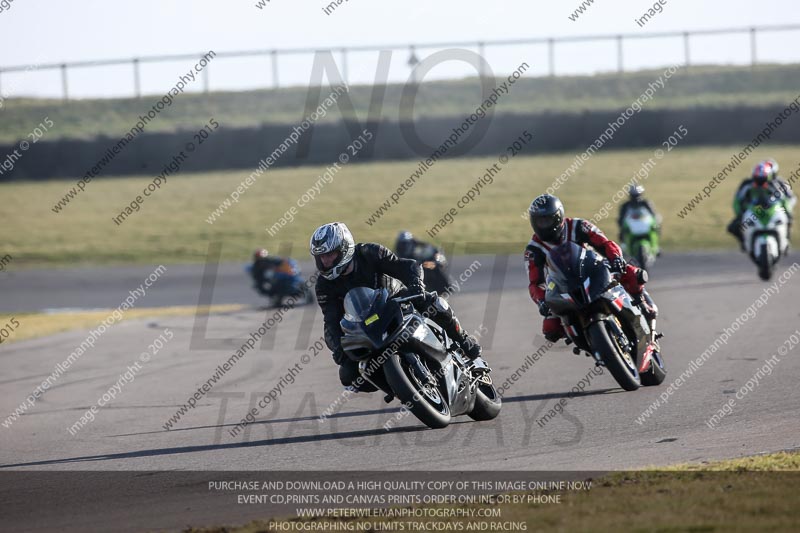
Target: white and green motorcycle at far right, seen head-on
x=765, y=227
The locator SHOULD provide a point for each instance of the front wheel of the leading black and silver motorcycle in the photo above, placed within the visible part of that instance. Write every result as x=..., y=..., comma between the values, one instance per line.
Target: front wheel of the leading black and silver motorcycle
x=407, y=389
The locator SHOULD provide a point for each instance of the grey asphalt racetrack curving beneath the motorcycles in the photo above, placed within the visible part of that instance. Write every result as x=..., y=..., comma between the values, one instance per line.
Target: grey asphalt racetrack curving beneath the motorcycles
x=699, y=294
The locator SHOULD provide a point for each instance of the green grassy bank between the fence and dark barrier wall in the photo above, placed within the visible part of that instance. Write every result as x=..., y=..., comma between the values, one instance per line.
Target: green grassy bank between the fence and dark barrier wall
x=700, y=86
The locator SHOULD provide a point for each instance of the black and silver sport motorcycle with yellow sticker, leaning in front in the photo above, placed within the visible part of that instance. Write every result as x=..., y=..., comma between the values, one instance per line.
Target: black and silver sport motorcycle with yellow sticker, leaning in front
x=411, y=358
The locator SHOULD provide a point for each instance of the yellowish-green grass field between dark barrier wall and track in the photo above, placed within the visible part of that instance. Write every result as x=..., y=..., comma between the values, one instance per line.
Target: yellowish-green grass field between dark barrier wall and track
x=171, y=226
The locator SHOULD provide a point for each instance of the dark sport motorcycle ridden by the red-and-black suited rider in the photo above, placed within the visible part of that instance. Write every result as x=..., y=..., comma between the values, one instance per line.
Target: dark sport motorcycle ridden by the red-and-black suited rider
x=600, y=318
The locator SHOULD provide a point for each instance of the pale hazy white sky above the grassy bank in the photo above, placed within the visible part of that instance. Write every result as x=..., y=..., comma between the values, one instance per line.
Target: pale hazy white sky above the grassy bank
x=43, y=31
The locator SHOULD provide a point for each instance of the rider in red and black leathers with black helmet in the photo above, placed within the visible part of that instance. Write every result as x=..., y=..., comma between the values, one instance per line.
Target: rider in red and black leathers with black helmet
x=551, y=228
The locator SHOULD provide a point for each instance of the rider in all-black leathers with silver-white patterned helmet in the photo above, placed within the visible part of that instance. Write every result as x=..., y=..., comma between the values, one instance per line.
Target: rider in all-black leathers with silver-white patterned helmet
x=344, y=265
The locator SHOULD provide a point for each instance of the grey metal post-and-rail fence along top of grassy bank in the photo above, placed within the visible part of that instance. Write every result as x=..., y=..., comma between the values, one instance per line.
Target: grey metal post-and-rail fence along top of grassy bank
x=685, y=39
